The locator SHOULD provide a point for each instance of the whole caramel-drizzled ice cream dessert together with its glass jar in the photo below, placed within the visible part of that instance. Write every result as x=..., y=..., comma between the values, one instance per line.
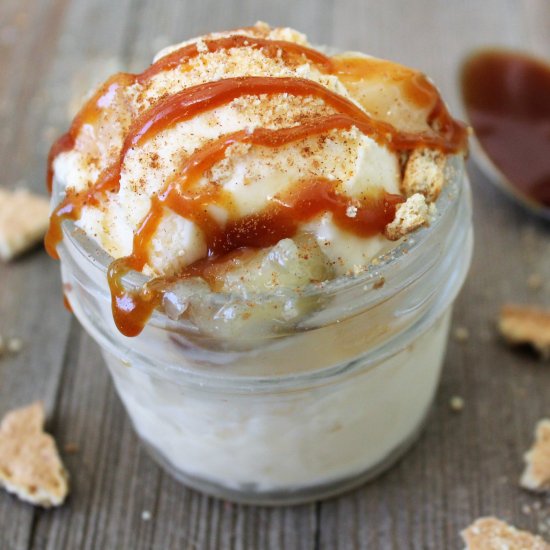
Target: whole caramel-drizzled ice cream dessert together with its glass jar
x=266, y=242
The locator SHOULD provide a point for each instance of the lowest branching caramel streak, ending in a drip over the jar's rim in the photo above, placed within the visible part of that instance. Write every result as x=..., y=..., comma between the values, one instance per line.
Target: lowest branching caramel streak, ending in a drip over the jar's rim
x=279, y=220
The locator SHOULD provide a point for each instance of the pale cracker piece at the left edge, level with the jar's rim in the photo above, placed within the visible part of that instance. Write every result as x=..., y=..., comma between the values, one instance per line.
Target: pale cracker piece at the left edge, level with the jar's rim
x=24, y=218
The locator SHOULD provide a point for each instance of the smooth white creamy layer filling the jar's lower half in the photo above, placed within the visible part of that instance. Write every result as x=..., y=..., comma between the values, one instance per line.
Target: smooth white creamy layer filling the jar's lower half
x=275, y=442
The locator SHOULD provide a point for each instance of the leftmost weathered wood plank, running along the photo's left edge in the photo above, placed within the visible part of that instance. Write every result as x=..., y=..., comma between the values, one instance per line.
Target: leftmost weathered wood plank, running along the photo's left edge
x=30, y=299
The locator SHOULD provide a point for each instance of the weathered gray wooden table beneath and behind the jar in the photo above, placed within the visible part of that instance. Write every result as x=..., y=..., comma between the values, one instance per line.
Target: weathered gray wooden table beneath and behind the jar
x=463, y=466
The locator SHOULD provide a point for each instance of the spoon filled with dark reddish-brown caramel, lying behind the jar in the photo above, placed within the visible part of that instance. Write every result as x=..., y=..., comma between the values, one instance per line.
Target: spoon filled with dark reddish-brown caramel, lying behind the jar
x=506, y=95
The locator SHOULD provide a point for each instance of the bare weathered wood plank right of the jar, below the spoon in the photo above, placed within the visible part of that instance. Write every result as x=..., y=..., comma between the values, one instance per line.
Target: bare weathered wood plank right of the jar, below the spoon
x=467, y=464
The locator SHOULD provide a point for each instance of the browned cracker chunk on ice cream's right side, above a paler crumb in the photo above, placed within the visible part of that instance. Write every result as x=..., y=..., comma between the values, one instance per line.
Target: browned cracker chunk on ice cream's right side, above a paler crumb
x=424, y=173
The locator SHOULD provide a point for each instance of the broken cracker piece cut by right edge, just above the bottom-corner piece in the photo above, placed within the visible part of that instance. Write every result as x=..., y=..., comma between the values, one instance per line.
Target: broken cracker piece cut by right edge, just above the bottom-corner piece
x=536, y=475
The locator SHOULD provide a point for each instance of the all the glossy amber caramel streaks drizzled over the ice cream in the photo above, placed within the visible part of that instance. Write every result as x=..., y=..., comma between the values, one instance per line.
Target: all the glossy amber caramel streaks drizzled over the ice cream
x=282, y=217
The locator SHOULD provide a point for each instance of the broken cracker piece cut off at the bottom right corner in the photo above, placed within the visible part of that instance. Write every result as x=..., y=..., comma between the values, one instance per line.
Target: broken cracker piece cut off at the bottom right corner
x=490, y=533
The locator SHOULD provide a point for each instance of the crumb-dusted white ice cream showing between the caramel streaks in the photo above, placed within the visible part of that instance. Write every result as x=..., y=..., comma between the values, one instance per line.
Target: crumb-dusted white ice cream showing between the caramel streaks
x=252, y=175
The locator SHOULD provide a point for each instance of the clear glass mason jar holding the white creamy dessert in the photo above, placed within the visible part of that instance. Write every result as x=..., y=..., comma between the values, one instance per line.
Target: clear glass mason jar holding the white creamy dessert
x=303, y=412
